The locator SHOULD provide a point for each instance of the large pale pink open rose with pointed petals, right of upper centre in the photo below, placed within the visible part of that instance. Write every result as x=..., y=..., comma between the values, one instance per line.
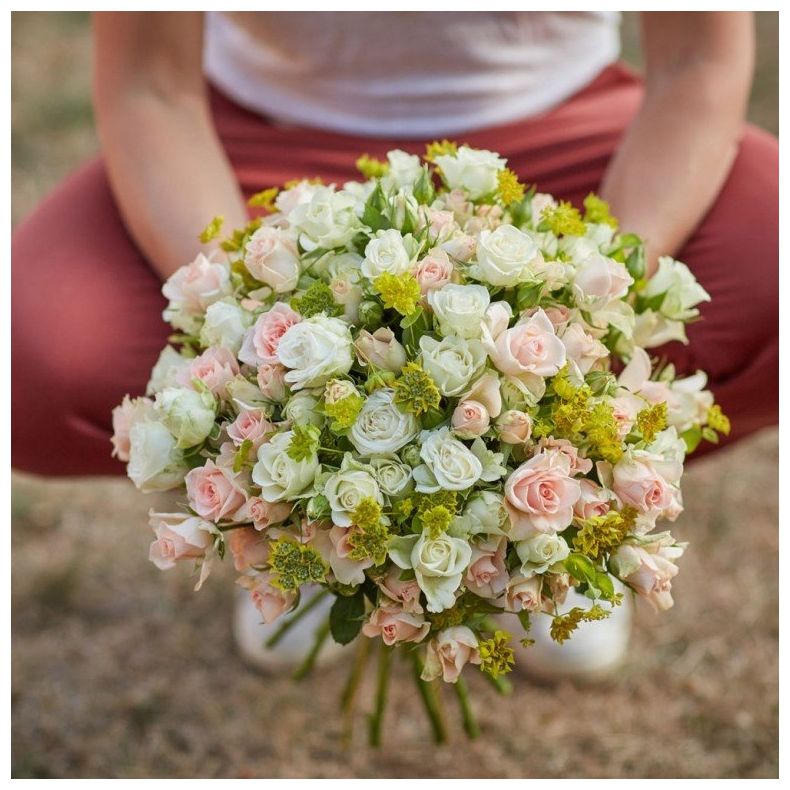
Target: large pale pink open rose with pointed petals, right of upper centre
x=529, y=347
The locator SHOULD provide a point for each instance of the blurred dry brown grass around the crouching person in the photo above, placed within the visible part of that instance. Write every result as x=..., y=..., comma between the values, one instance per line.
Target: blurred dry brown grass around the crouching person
x=119, y=670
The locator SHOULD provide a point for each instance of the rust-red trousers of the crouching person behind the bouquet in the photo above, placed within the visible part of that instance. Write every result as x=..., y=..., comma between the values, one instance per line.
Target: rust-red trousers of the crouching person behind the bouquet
x=87, y=327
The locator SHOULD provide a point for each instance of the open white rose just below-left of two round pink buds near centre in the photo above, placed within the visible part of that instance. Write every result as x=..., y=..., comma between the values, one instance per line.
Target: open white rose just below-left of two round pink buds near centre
x=449, y=464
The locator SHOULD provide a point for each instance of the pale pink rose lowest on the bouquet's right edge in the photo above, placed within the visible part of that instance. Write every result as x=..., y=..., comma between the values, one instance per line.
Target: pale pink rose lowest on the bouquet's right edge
x=649, y=570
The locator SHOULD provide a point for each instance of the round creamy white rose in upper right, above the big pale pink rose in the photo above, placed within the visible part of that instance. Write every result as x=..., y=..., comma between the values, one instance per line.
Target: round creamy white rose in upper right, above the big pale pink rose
x=506, y=256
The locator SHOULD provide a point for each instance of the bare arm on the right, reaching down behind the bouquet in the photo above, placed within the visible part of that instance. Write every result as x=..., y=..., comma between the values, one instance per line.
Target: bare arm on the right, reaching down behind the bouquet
x=679, y=148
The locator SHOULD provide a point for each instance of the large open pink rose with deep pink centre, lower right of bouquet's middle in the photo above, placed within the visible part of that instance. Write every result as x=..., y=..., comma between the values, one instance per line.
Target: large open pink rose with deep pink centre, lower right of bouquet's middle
x=540, y=495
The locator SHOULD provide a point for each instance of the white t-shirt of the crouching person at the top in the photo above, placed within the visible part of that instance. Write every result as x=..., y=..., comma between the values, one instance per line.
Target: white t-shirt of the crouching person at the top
x=406, y=74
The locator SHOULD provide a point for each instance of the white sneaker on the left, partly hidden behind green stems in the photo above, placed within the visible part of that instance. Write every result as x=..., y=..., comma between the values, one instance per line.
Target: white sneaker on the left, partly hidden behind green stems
x=290, y=651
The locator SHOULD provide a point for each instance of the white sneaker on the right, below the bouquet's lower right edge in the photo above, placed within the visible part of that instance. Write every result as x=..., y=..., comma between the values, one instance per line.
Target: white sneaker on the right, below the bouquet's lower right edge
x=593, y=653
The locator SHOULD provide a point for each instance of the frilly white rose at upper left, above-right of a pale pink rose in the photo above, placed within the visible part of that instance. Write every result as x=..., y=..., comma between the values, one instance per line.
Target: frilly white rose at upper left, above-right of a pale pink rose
x=328, y=220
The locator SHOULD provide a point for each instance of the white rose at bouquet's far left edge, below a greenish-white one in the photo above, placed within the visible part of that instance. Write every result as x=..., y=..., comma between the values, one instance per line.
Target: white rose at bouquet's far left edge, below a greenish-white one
x=155, y=463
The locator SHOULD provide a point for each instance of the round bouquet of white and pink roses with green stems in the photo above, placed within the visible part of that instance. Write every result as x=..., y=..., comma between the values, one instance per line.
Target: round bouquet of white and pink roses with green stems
x=426, y=393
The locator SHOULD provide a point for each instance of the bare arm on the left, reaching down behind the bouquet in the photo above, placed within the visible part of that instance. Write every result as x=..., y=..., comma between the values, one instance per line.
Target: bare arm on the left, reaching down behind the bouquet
x=167, y=169
